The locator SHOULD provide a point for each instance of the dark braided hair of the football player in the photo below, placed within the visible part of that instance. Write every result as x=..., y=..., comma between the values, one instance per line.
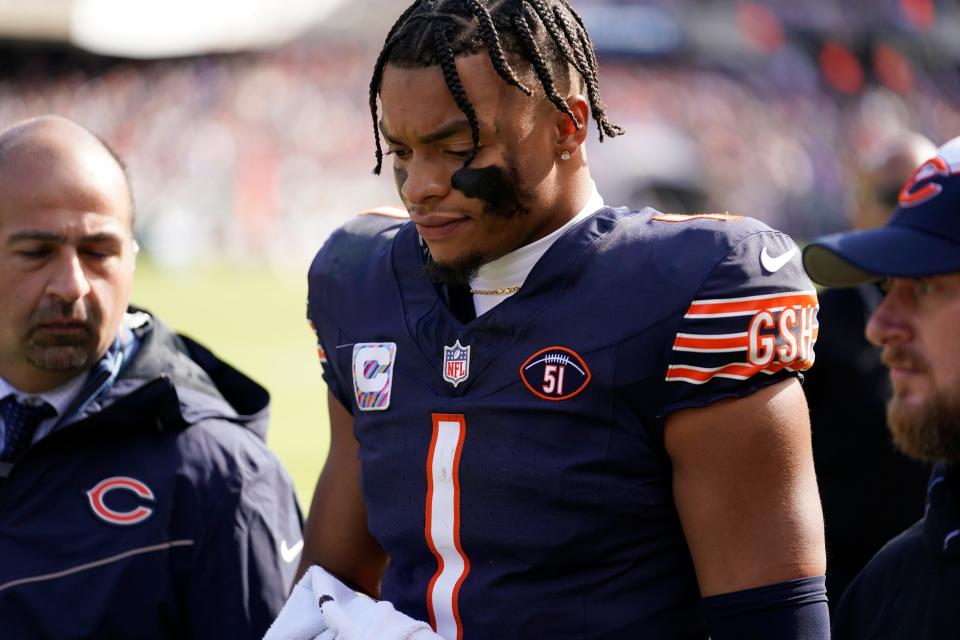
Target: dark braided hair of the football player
x=547, y=35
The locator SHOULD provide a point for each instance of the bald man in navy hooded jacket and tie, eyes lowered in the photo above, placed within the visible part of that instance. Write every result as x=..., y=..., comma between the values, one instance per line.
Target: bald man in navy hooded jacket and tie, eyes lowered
x=137, y=496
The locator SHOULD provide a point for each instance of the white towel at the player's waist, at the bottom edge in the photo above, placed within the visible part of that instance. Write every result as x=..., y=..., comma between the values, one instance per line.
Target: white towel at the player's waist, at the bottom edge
x=323, y=608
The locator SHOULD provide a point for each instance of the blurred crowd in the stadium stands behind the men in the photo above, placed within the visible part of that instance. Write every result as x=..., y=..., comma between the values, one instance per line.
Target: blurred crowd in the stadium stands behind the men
x=759, y=108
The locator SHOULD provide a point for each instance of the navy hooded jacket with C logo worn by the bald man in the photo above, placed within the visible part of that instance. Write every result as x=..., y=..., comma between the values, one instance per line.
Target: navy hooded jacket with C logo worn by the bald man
x=156, y=512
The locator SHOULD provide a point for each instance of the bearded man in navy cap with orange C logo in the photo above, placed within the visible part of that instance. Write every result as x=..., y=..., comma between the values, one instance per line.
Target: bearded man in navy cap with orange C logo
x=911, y=587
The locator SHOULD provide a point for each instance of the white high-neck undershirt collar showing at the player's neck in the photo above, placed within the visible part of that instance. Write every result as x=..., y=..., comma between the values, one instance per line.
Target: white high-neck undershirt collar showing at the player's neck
x=512, y=269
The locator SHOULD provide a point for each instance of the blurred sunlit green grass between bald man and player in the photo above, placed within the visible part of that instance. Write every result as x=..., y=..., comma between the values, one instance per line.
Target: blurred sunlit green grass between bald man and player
x=254, y=319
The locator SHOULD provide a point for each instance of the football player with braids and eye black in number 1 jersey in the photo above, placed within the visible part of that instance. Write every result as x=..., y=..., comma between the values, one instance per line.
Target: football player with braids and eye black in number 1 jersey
x=550, y=417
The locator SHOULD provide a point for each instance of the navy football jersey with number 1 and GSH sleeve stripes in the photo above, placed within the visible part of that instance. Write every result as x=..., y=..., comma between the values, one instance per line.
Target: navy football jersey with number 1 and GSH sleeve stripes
x=514, y=467
